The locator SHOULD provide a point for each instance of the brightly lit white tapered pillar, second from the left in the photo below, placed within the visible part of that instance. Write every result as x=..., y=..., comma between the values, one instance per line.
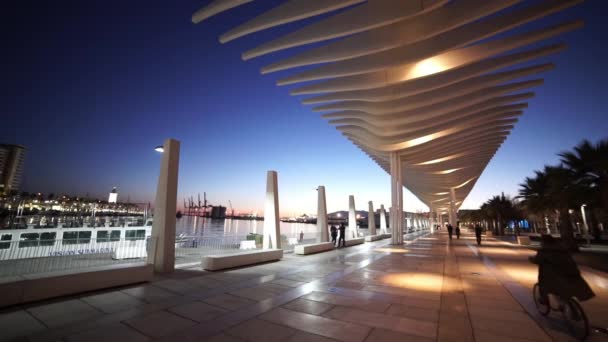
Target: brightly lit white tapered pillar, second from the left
x=272, y=232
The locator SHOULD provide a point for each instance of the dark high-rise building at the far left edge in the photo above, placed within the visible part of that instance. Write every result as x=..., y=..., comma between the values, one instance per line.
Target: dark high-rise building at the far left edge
x=11, y=167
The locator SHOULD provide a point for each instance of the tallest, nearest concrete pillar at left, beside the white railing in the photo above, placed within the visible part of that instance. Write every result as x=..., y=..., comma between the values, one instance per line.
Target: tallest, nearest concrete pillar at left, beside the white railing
x=165, y=208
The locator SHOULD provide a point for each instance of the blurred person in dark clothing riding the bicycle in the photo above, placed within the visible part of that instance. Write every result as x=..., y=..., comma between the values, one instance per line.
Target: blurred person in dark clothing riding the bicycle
x=558, y=274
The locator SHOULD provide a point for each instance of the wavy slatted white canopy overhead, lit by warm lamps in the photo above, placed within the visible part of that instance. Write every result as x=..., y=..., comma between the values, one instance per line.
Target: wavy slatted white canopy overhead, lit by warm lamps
x=424, y=78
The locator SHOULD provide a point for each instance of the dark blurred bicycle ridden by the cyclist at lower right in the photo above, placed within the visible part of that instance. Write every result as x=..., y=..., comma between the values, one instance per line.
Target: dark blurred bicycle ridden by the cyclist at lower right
x=571, y=310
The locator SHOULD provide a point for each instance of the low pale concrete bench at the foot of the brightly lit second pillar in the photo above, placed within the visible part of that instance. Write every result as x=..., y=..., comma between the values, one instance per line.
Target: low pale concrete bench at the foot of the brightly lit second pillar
x=220, y=262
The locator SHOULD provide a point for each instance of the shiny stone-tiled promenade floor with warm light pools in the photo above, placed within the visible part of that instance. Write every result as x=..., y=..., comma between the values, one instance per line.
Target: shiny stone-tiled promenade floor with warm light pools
x=427, y=290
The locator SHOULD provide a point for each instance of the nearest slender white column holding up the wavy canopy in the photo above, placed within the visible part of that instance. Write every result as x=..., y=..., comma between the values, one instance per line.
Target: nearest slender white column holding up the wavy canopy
x=397, y=217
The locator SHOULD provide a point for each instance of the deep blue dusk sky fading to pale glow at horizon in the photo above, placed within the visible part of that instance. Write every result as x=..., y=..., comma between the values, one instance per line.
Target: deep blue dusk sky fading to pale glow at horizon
x=90, y=87
